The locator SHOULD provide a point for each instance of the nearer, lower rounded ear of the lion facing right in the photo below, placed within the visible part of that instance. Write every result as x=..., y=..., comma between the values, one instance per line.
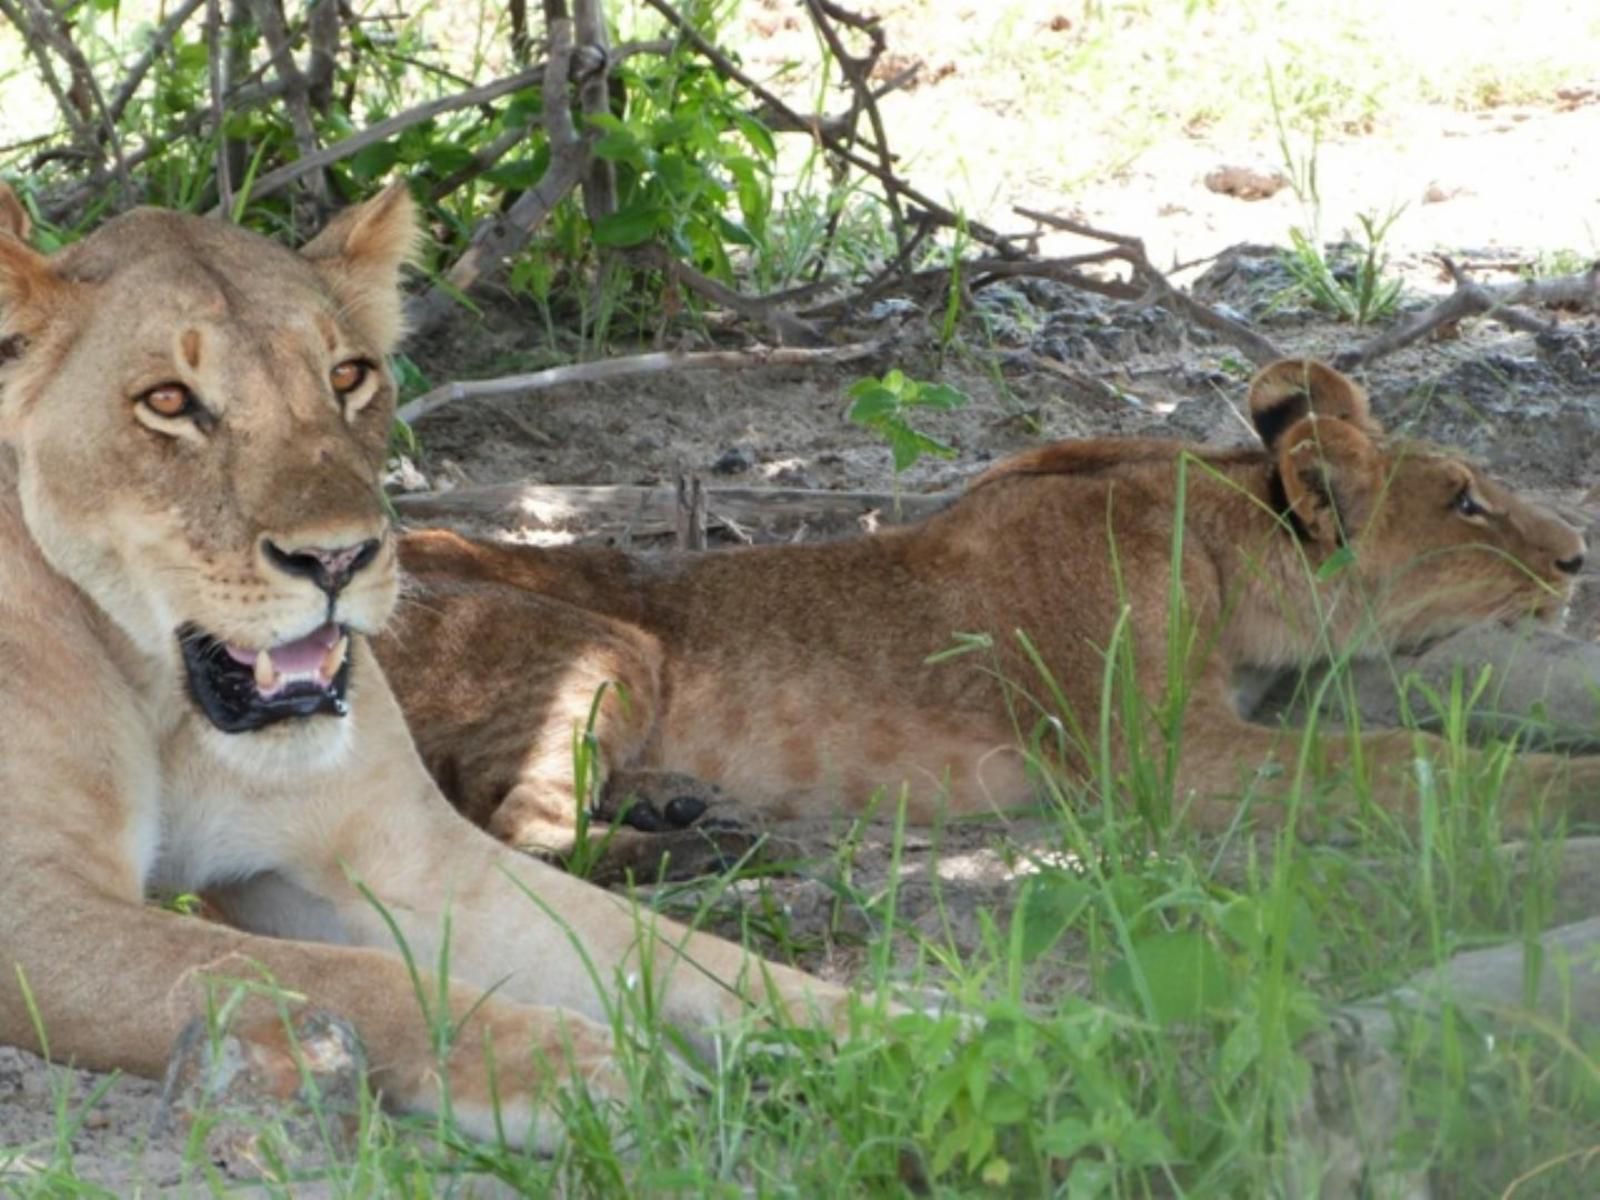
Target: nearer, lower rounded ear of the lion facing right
x=1334, y=478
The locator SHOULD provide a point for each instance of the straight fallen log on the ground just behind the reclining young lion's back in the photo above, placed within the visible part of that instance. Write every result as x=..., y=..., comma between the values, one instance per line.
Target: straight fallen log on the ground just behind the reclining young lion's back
x=657, y=511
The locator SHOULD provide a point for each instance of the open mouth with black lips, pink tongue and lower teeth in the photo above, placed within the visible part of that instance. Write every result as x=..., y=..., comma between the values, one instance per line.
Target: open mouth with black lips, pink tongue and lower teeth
x=241, y=689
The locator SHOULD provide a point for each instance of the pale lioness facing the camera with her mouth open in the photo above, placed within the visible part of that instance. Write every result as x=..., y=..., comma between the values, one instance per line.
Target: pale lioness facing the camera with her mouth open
x=193, y=556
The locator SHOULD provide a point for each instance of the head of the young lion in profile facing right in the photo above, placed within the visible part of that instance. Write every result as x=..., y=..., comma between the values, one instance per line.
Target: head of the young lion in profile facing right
x=1434, y=543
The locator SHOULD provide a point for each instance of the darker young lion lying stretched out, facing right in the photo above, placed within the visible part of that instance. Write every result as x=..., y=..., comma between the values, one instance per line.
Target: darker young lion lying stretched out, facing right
x=799, y=678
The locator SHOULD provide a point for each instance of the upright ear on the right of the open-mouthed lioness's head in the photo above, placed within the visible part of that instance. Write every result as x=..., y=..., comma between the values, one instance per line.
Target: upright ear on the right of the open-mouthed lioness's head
x=361, y=255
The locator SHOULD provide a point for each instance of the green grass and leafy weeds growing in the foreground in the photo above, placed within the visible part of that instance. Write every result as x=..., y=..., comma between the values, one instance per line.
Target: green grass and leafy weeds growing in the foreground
x=1135, y=1025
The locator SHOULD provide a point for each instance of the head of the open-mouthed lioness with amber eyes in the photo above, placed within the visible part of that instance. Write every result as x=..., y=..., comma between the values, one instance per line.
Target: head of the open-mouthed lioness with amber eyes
x=199, y=420
